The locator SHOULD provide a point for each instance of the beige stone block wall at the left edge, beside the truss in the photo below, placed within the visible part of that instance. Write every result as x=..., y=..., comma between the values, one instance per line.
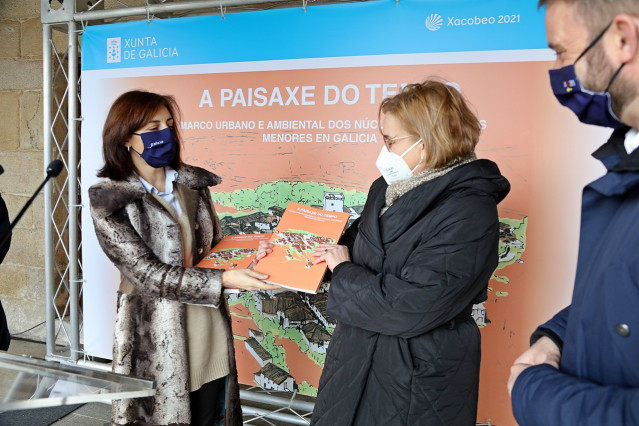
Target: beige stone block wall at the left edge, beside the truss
x=21, y=155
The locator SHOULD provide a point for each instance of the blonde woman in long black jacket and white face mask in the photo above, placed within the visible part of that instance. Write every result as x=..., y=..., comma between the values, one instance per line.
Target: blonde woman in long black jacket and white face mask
x=405, y=276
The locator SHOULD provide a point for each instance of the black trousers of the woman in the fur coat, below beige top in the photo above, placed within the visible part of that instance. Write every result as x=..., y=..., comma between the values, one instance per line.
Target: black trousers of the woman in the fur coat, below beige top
x=208, y=403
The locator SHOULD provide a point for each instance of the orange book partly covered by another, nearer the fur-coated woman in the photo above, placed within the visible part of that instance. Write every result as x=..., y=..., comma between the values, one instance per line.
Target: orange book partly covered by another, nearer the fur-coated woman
x=233, y=252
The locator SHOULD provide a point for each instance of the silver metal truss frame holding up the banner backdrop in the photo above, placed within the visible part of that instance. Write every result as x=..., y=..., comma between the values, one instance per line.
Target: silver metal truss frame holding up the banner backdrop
x=62, y=200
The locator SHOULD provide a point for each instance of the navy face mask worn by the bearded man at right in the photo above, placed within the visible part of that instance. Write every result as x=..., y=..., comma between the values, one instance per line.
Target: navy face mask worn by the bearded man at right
x=590, y=107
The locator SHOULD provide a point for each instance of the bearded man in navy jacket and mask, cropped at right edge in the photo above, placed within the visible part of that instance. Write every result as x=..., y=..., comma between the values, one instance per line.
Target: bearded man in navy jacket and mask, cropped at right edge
x=582, y=367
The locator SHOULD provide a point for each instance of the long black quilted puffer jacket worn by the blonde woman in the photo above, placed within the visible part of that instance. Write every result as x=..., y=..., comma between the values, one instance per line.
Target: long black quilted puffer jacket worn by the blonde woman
x=406, y=350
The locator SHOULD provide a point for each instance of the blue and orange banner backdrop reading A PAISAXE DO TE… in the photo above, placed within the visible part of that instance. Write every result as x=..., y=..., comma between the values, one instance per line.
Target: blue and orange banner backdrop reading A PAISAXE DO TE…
x=282, y=105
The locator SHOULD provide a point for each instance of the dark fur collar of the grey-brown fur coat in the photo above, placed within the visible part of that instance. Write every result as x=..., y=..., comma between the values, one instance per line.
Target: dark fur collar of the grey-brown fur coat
x=107, y=196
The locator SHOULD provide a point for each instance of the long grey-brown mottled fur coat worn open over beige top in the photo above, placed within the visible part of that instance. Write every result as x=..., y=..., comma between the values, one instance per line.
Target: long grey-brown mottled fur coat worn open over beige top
x=143, y=240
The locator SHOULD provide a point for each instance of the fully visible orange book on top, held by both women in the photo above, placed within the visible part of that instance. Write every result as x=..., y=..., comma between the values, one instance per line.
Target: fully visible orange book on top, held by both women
x=299, y=231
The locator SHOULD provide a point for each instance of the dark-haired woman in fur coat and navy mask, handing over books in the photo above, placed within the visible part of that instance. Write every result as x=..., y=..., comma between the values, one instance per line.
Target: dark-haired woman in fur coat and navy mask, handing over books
x=154, y=219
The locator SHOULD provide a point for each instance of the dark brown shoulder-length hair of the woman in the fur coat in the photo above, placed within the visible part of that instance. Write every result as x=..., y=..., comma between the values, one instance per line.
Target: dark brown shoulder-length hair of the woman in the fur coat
x=131, y=111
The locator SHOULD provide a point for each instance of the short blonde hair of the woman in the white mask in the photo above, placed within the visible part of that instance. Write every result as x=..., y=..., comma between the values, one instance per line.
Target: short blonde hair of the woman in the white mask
x=438, y=114
